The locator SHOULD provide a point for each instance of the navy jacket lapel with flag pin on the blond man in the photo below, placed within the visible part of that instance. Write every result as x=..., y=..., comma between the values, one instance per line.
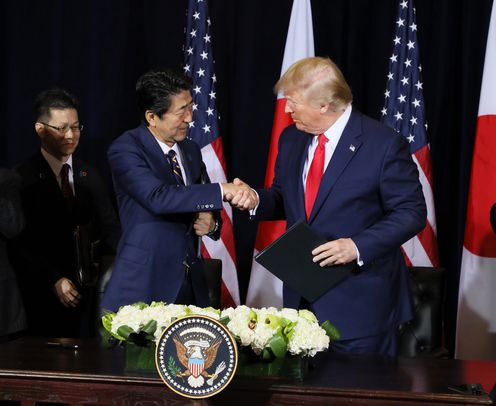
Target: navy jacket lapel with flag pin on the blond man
x=346, y=149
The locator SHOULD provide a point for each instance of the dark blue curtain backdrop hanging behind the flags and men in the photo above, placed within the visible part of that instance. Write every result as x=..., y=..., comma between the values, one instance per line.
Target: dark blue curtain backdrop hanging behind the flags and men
x=97, y=49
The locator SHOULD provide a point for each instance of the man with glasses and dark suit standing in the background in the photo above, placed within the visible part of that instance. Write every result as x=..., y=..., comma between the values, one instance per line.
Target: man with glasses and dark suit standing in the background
x=68, y=213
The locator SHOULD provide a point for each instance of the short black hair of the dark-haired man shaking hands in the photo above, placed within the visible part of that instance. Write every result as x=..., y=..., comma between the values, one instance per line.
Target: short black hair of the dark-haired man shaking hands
x=155, y=88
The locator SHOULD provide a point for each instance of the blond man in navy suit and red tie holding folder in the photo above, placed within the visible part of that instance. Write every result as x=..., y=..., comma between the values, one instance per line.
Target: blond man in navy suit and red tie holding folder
x=353, y=180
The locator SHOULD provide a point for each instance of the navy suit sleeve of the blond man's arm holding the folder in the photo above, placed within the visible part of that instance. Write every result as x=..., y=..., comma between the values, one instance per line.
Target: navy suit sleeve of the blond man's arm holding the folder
x=402, y=201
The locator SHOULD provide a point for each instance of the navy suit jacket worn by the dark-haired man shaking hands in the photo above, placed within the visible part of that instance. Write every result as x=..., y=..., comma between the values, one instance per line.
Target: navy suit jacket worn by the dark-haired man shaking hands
x=156, y=216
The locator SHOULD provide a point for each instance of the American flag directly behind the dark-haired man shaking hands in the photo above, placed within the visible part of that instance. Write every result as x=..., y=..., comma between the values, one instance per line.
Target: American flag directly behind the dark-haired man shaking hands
x=204, y=130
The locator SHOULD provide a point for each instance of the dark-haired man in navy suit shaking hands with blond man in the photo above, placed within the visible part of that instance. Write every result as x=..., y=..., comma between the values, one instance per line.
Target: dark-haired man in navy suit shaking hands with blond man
x=165, y=200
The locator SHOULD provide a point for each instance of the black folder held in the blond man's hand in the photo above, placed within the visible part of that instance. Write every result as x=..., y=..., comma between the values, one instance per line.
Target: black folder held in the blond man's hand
x=290, y=259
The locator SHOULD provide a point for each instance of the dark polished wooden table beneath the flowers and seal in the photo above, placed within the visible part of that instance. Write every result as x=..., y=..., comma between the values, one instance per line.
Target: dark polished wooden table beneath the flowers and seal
x=30, y=371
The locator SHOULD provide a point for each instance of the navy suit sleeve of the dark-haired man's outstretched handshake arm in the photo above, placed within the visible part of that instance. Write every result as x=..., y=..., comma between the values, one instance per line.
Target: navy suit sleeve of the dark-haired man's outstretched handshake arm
x=133, y=175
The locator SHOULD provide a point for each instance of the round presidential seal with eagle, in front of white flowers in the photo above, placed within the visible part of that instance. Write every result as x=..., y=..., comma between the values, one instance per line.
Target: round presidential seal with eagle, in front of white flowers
x=196, y=356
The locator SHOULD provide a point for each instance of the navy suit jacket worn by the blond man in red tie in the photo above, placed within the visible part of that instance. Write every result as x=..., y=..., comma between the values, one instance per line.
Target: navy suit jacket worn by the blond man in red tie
x=370, y=192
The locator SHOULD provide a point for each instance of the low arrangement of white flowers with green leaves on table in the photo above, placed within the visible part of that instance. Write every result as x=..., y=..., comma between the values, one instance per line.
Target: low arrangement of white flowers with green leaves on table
x=269, y=332
